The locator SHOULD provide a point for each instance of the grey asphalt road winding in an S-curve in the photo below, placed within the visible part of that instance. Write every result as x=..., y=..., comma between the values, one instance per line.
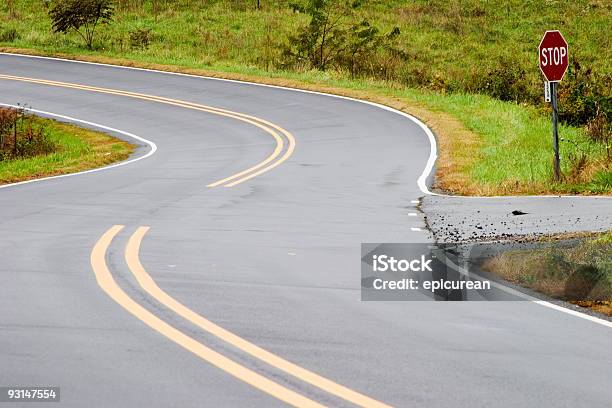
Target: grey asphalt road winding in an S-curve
x=274, y=260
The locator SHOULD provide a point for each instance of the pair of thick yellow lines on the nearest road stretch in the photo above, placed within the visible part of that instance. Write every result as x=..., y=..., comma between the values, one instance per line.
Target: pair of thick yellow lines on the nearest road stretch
x=108, y=284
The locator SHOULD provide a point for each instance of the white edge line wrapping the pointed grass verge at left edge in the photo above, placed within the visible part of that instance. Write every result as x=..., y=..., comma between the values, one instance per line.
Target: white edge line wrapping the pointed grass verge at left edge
x=152, y=146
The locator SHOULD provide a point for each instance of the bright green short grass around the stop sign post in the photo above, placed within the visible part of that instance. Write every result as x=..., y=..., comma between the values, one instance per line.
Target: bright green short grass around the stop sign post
x=517, y=144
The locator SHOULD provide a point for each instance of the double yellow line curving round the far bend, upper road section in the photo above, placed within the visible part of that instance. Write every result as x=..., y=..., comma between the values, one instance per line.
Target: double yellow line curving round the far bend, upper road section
x=281, y=136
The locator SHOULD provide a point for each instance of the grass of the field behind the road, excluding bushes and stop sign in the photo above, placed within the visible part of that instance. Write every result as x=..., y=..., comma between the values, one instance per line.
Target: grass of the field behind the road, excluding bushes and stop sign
x=487, y=146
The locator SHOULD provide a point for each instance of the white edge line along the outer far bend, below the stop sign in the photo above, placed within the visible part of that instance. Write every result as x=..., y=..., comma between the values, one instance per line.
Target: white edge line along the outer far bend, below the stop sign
x=433, y=151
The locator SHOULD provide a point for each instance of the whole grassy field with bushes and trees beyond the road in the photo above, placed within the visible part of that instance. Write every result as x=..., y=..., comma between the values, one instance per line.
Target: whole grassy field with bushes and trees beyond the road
x=468, y=68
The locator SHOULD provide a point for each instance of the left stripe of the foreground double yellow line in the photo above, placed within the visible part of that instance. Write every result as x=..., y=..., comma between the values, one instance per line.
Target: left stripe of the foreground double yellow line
x=108, y=284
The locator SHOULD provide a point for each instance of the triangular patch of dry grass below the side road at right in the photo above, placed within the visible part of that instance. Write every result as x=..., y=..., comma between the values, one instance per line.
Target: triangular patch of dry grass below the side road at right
x=579, y=272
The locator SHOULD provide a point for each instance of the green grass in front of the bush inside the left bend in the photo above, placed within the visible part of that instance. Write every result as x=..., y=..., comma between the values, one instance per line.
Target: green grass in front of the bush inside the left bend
x=78, y=149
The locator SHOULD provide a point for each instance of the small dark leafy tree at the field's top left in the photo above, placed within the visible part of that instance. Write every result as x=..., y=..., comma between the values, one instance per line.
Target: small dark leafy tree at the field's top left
x=81, y=16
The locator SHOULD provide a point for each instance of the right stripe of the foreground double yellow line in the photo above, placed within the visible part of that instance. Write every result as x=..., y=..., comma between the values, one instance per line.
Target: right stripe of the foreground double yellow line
x=148, y=284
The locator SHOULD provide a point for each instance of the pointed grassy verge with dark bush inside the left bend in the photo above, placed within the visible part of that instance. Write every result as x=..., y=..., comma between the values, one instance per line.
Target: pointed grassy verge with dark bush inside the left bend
x=33, y=147
